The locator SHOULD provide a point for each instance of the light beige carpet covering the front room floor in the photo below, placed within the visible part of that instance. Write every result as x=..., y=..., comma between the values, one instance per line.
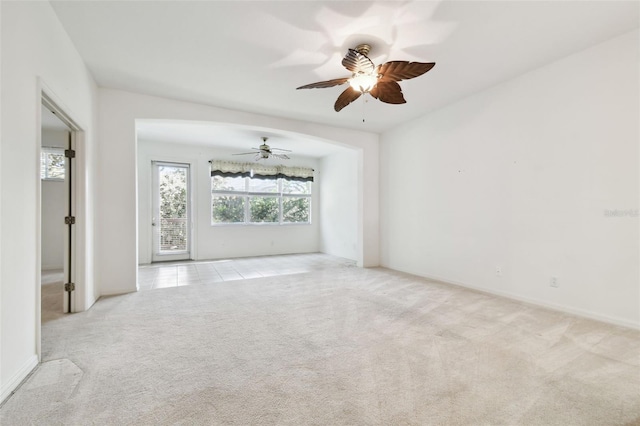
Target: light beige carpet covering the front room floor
x=341, y=346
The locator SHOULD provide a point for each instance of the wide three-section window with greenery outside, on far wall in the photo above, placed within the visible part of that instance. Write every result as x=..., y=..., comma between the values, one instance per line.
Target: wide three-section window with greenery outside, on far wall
x=280, y=199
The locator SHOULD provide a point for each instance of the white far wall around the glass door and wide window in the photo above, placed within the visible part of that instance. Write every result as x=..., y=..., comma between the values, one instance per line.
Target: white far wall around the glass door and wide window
x=216, y=242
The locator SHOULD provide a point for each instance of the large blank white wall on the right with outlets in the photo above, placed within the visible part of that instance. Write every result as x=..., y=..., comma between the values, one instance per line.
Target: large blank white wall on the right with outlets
x=520, y=177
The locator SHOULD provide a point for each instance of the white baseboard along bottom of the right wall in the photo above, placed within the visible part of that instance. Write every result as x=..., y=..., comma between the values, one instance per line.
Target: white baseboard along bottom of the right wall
x=536, y=302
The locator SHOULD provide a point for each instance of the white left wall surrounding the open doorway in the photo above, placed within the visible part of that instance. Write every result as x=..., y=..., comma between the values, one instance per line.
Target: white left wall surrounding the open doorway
x=34, y=45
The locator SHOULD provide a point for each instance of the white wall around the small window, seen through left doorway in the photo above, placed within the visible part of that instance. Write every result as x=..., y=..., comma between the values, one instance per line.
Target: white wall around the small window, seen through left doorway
x=54, y=201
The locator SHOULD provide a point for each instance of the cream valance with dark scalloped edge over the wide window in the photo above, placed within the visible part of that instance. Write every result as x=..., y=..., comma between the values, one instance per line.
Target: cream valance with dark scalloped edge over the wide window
x=260, y=171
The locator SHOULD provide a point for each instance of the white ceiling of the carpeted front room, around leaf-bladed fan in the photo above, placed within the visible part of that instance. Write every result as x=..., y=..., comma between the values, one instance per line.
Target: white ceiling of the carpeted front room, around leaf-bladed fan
x=250, y=56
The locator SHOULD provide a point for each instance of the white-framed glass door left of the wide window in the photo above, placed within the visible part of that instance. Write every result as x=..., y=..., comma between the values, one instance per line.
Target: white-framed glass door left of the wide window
x=171, y=212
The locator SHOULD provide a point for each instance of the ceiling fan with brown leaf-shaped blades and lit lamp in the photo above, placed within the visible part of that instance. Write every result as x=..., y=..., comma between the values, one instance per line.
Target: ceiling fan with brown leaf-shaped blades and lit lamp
x=381, y=82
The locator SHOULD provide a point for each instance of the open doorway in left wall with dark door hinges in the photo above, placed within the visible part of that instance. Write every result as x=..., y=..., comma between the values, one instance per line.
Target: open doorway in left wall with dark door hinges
x=60, y=284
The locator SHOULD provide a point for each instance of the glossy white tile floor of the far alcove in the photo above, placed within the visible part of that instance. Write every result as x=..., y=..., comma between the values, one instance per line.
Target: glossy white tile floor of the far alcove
x=172, y=274
